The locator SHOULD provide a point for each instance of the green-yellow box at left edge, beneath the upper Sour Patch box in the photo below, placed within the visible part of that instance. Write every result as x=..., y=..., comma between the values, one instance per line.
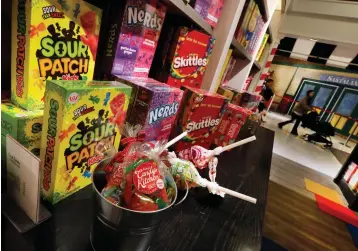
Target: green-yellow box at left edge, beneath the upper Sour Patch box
x=24, y=126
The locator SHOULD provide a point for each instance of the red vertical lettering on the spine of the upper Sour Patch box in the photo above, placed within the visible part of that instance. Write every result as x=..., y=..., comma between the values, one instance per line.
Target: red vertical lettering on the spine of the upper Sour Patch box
x=21, y=42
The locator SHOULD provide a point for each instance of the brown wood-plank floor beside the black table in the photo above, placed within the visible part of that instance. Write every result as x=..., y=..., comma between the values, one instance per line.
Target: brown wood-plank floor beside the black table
x=292, y=217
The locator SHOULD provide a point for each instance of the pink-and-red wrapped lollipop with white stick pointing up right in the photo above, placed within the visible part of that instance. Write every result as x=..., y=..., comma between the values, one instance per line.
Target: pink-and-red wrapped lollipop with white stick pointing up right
x=203, y=158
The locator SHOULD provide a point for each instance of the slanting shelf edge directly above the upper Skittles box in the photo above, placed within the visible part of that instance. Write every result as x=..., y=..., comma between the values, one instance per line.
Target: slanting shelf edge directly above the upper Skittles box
x=180, y=7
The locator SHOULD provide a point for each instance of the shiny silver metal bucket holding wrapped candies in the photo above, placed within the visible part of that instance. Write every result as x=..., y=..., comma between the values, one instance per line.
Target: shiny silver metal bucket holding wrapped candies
x=115, y=228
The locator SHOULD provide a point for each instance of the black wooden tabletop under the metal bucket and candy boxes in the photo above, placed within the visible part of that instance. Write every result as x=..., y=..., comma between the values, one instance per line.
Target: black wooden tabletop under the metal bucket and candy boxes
x=201, y=222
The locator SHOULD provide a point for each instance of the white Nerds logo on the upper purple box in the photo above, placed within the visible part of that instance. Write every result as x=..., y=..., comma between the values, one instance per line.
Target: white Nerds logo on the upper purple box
x=149, y=20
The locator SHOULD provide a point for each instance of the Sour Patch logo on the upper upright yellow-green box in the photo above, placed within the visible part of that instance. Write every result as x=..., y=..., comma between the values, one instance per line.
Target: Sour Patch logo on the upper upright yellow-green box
x=63, y=54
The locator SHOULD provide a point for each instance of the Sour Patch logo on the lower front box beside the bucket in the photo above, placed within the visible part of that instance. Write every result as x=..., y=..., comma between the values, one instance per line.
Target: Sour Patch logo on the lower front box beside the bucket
x=82, y=150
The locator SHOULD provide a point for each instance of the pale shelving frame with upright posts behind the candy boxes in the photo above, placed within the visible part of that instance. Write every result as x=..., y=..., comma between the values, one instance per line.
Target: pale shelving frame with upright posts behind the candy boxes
x=224, y=35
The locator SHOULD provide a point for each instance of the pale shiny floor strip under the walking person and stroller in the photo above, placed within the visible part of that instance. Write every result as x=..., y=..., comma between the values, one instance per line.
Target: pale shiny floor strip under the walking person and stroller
x=300, y=151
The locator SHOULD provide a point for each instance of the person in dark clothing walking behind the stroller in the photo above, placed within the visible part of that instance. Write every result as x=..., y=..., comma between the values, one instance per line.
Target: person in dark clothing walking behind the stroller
x=302, y=108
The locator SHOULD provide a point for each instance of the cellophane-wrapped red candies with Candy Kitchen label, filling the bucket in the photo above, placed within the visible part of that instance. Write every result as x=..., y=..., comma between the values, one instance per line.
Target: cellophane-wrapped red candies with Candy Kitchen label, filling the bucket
x=137, y=180
